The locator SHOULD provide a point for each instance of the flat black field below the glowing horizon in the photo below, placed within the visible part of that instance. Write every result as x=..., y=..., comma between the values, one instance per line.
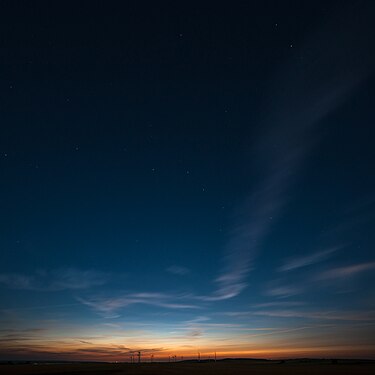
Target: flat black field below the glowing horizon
x=219, y=368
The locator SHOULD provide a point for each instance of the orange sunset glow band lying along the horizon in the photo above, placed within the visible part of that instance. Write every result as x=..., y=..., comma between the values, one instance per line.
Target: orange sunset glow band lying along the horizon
x=115, y=352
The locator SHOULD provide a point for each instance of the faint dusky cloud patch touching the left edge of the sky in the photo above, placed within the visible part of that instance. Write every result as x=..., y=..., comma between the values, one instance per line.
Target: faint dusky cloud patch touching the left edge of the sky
x=55, y=280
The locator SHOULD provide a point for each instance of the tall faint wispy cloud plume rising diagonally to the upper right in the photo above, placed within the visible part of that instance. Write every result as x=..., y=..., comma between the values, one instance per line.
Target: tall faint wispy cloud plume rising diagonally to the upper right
x=298, y=100
